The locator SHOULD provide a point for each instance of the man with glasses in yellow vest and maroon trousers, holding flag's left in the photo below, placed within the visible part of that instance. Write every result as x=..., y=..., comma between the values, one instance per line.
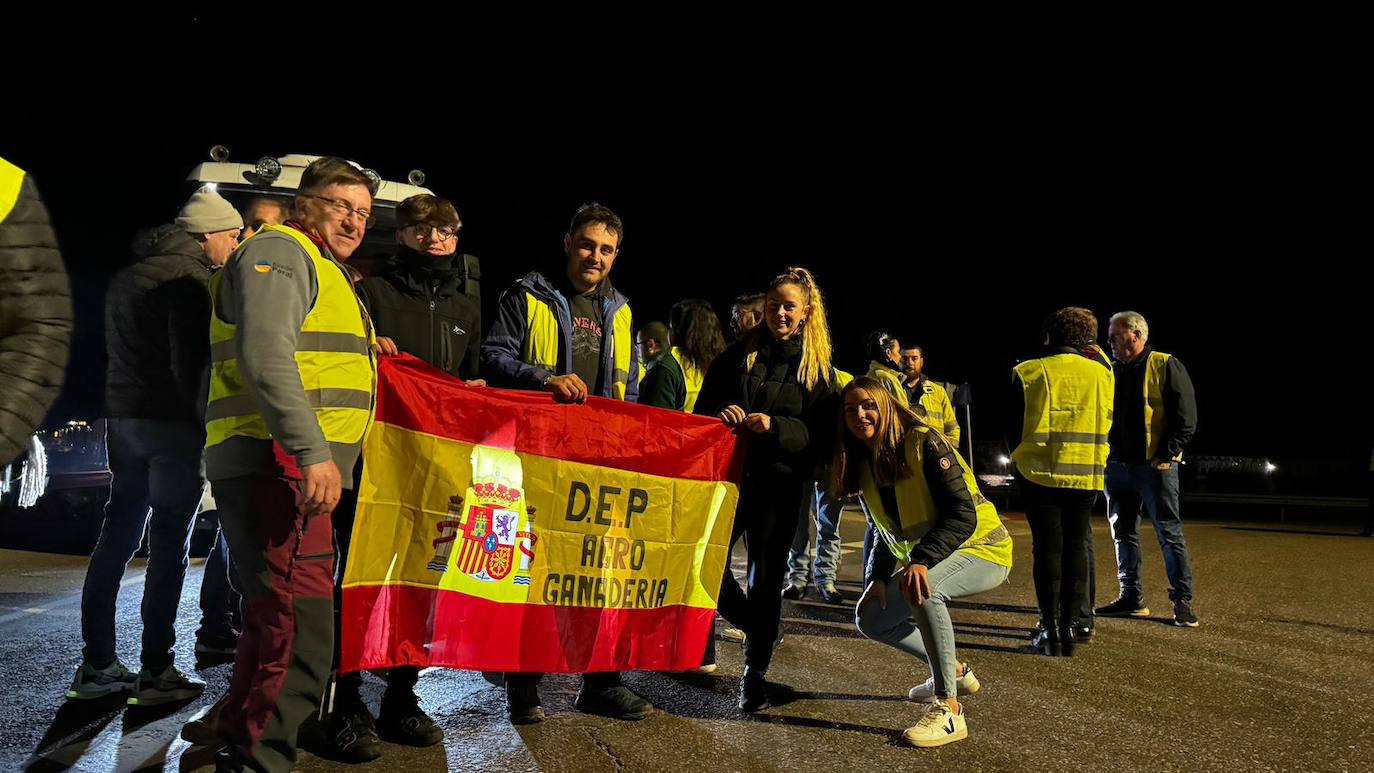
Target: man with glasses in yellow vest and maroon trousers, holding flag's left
x=292, y=391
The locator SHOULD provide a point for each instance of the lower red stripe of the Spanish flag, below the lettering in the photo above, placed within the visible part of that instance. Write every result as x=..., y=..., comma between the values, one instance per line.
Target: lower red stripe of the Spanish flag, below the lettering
x=390, y=625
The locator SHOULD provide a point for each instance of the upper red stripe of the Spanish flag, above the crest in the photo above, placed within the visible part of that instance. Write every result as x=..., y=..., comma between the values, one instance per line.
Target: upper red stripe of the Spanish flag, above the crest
x=623, y=436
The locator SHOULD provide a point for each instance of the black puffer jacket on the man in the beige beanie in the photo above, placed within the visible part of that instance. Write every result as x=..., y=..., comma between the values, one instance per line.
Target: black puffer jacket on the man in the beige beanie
x=157, y=330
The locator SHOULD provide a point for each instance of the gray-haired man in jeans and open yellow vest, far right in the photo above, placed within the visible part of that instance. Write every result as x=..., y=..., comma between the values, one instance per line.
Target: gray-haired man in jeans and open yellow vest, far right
x=1156, y=417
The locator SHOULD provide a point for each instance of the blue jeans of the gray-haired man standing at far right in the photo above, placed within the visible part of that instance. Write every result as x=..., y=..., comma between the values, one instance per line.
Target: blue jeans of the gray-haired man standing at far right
x=1136, y=488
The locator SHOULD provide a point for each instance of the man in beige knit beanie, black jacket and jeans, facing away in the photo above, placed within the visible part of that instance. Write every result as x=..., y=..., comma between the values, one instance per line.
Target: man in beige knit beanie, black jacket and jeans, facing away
x=157, y=316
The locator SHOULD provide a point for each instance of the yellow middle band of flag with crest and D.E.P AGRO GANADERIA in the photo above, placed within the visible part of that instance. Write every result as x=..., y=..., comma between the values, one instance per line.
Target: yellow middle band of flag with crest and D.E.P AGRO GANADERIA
x=527, y=529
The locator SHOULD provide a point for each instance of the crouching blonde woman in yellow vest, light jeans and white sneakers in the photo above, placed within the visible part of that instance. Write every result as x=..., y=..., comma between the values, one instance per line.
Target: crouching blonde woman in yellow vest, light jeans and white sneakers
x=941, y=540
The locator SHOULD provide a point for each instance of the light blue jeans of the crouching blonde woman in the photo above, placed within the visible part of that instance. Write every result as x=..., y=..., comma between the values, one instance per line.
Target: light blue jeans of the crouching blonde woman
x=932, y=636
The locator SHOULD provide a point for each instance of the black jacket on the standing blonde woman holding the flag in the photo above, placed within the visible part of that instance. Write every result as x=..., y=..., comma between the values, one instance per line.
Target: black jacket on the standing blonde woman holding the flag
x=803, y=419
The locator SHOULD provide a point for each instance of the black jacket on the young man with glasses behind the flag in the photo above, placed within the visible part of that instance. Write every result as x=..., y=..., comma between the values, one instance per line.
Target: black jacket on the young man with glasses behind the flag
x=420, y=303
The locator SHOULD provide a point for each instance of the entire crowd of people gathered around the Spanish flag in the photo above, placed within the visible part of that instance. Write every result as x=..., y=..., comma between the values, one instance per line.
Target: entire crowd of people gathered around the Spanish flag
x=243, y=352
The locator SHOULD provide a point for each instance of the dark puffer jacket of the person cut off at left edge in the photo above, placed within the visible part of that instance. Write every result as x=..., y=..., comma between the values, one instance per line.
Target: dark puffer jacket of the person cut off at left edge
x=35, y=318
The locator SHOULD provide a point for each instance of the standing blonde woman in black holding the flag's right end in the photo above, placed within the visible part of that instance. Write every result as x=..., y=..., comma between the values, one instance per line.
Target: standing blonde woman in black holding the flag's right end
x=777, y=386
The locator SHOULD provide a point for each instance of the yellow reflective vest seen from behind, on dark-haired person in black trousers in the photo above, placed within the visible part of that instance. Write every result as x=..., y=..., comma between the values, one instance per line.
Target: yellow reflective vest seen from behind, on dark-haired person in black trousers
x=1064, y=437
